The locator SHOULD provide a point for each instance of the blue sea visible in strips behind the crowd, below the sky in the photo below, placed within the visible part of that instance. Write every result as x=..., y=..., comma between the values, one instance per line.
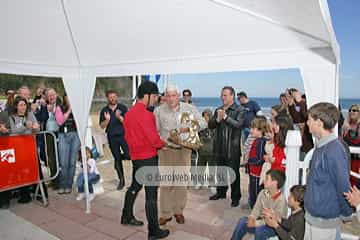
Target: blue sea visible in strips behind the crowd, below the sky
x=265, y=103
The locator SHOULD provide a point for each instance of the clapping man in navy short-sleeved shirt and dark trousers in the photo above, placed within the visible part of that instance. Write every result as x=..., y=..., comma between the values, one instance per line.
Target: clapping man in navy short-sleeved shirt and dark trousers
x=111, y=119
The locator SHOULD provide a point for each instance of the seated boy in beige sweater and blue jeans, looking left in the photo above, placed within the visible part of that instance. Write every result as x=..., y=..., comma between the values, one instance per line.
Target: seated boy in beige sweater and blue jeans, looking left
x=269, y=198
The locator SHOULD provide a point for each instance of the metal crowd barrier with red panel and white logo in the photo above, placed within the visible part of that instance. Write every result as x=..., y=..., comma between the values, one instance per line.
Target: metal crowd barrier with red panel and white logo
x=9, y=155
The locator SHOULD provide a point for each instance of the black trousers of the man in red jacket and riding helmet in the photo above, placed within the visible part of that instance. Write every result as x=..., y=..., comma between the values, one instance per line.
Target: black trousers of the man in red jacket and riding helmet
x=151, y=208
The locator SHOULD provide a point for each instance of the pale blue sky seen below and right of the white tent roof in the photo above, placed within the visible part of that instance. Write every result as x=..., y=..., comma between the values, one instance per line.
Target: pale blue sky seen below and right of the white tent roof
x=346, y=22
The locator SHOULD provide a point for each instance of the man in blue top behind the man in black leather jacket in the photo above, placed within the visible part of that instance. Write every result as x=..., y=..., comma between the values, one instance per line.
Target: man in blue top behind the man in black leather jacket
x=252, y=109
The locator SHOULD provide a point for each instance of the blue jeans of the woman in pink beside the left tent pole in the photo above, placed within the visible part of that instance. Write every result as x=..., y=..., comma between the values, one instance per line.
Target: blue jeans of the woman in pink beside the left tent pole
x=69, y=145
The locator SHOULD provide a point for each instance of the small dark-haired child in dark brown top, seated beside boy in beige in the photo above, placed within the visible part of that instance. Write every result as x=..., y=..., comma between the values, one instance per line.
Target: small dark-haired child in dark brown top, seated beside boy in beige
x=292, y=228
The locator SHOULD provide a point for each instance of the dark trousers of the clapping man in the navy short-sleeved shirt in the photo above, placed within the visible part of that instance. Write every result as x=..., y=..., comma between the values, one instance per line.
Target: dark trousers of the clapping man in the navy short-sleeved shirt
x=115, y=142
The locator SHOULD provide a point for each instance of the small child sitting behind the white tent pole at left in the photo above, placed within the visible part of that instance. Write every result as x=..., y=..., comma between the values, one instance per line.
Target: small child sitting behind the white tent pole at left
x=93, y=177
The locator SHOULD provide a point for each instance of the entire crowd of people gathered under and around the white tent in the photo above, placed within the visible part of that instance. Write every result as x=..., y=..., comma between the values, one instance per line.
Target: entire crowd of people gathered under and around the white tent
x=236, y=135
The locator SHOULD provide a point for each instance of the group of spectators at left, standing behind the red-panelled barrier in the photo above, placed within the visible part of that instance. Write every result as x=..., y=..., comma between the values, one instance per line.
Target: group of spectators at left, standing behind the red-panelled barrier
x=45, y=112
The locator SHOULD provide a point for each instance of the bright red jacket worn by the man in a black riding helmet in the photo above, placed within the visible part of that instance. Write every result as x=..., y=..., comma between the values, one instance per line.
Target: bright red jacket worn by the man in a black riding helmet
x=140, y=133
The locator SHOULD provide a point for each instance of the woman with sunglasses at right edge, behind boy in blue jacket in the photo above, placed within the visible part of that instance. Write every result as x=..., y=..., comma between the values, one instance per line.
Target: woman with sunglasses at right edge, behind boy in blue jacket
x=351, y=135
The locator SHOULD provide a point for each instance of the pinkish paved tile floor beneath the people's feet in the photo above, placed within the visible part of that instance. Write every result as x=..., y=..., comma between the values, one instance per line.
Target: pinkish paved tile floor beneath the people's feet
x=65, y=218
